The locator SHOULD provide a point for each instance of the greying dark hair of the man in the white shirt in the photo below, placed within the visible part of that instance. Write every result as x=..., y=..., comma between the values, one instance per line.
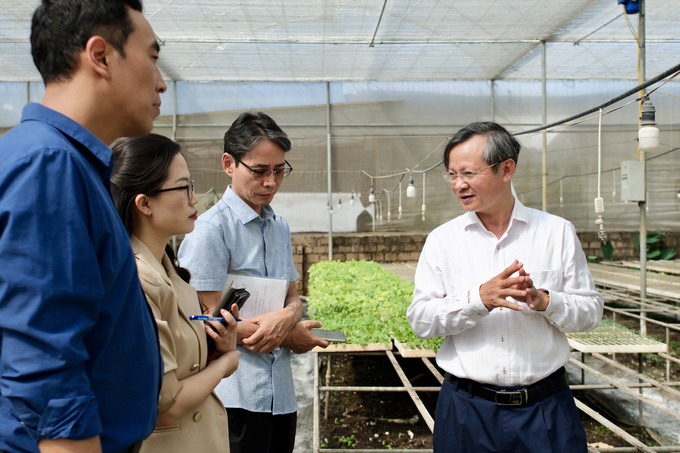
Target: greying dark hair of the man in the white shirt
x=500, y=144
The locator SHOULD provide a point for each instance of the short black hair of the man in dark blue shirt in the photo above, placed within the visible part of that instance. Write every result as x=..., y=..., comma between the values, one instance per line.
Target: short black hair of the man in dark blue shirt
x=60, y=30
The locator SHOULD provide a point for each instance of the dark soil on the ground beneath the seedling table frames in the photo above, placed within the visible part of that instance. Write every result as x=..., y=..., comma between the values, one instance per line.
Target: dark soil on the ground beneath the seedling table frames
x=384, y=420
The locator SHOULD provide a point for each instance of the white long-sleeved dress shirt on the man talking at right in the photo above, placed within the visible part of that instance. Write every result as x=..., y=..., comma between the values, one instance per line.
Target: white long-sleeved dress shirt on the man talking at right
x=503, y=347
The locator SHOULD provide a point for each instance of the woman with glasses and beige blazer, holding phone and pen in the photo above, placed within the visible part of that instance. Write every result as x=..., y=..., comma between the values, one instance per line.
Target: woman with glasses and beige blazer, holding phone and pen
x=155, y=198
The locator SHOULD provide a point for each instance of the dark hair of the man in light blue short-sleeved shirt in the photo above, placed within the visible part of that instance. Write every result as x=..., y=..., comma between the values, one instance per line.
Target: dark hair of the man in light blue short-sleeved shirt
x=249, y=131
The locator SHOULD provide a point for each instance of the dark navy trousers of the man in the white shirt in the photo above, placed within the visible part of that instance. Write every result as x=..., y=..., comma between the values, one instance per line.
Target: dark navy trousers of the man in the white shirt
x=470, y=424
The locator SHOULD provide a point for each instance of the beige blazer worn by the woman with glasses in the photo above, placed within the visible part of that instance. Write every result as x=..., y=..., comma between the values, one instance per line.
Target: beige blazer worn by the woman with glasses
x=184, y=349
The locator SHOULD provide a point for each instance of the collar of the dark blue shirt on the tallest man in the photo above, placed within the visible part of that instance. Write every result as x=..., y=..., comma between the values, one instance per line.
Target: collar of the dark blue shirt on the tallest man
x=70, y=128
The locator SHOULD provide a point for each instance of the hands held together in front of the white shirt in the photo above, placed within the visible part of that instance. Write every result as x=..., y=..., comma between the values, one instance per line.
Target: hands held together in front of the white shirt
x=521, y=288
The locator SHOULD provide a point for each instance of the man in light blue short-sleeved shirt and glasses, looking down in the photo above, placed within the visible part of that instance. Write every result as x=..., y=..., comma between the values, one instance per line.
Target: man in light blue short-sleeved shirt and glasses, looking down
x=242, y=235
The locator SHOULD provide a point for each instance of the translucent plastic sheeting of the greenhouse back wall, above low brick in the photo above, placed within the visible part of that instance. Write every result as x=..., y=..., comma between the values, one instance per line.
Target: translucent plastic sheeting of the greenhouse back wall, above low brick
x=383, y=128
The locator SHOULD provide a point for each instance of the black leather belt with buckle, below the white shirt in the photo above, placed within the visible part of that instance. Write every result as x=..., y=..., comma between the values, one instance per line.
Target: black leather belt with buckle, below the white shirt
x=516, y=396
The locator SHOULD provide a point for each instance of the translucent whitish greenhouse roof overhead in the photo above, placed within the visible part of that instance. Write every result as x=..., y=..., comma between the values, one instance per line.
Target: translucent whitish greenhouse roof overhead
x=306, y=40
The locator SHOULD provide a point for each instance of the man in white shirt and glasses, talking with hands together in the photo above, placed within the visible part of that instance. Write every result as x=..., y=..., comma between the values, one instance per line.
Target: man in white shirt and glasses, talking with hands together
x=502, y=284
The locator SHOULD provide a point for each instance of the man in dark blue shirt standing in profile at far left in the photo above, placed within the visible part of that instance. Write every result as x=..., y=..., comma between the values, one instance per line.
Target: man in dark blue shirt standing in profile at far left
x=80, y=364
